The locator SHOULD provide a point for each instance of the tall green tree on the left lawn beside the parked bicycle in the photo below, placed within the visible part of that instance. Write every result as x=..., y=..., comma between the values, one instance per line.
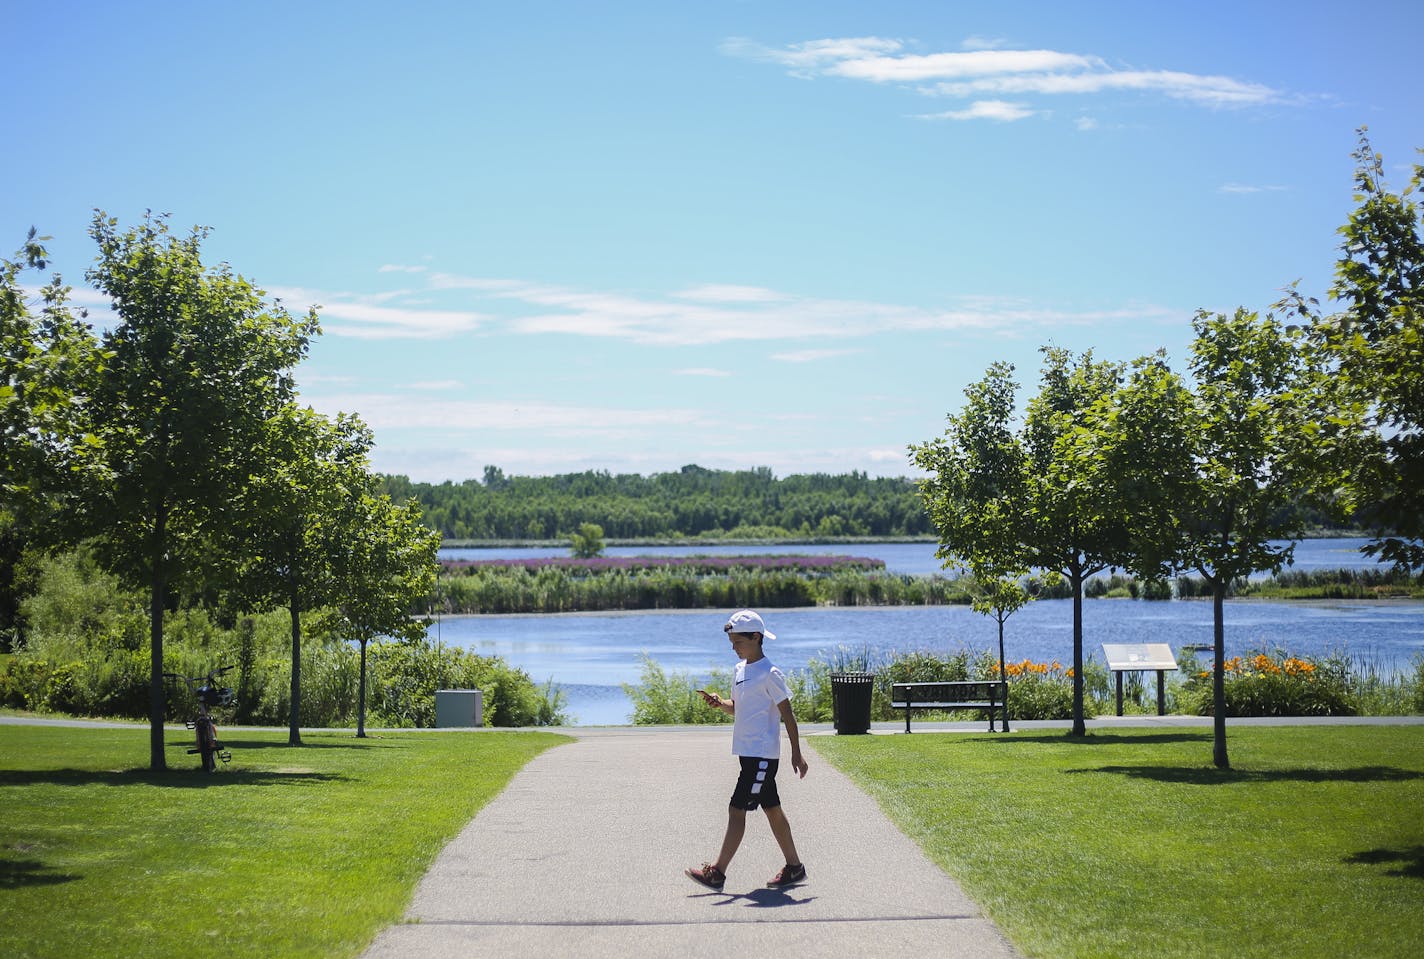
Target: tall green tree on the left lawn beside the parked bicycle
x=197, y=366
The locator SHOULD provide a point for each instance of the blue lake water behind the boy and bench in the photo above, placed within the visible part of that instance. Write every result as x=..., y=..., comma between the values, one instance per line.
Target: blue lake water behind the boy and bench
x=592, y=655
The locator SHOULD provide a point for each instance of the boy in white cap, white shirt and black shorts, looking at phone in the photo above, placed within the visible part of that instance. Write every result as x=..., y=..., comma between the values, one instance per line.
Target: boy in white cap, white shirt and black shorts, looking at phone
x=760, y=705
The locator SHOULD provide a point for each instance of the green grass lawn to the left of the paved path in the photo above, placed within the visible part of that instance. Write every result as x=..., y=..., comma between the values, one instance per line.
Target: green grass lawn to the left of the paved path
x=288, y=851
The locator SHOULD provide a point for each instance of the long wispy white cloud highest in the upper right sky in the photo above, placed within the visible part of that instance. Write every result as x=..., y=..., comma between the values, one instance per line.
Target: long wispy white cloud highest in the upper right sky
x=985, y=72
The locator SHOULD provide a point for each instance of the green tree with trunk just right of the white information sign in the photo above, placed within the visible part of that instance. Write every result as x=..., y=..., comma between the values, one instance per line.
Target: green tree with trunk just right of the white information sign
x=1264, y=432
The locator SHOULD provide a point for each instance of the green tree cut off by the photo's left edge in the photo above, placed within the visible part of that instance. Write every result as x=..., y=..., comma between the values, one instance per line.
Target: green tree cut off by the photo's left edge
x=49, y=358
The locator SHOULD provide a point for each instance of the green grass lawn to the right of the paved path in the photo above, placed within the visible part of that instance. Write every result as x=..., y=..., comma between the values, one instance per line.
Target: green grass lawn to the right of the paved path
x=1131, y=844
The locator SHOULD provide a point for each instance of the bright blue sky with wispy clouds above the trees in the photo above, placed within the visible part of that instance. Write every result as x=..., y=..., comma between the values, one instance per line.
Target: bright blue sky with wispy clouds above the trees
x=555, y=237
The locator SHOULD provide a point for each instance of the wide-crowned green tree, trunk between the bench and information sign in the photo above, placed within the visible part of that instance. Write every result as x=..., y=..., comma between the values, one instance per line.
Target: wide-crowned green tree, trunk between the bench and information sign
x=1072, y=491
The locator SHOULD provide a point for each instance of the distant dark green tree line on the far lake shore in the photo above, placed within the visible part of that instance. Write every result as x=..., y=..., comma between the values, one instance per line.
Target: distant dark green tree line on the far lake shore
x=690, y=502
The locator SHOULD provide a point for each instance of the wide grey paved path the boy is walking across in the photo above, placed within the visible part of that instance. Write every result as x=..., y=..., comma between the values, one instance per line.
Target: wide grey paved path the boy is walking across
x=583, y=856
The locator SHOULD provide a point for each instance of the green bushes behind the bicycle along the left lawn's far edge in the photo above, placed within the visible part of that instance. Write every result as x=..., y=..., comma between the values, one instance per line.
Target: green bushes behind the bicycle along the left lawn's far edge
x=86, y=656
